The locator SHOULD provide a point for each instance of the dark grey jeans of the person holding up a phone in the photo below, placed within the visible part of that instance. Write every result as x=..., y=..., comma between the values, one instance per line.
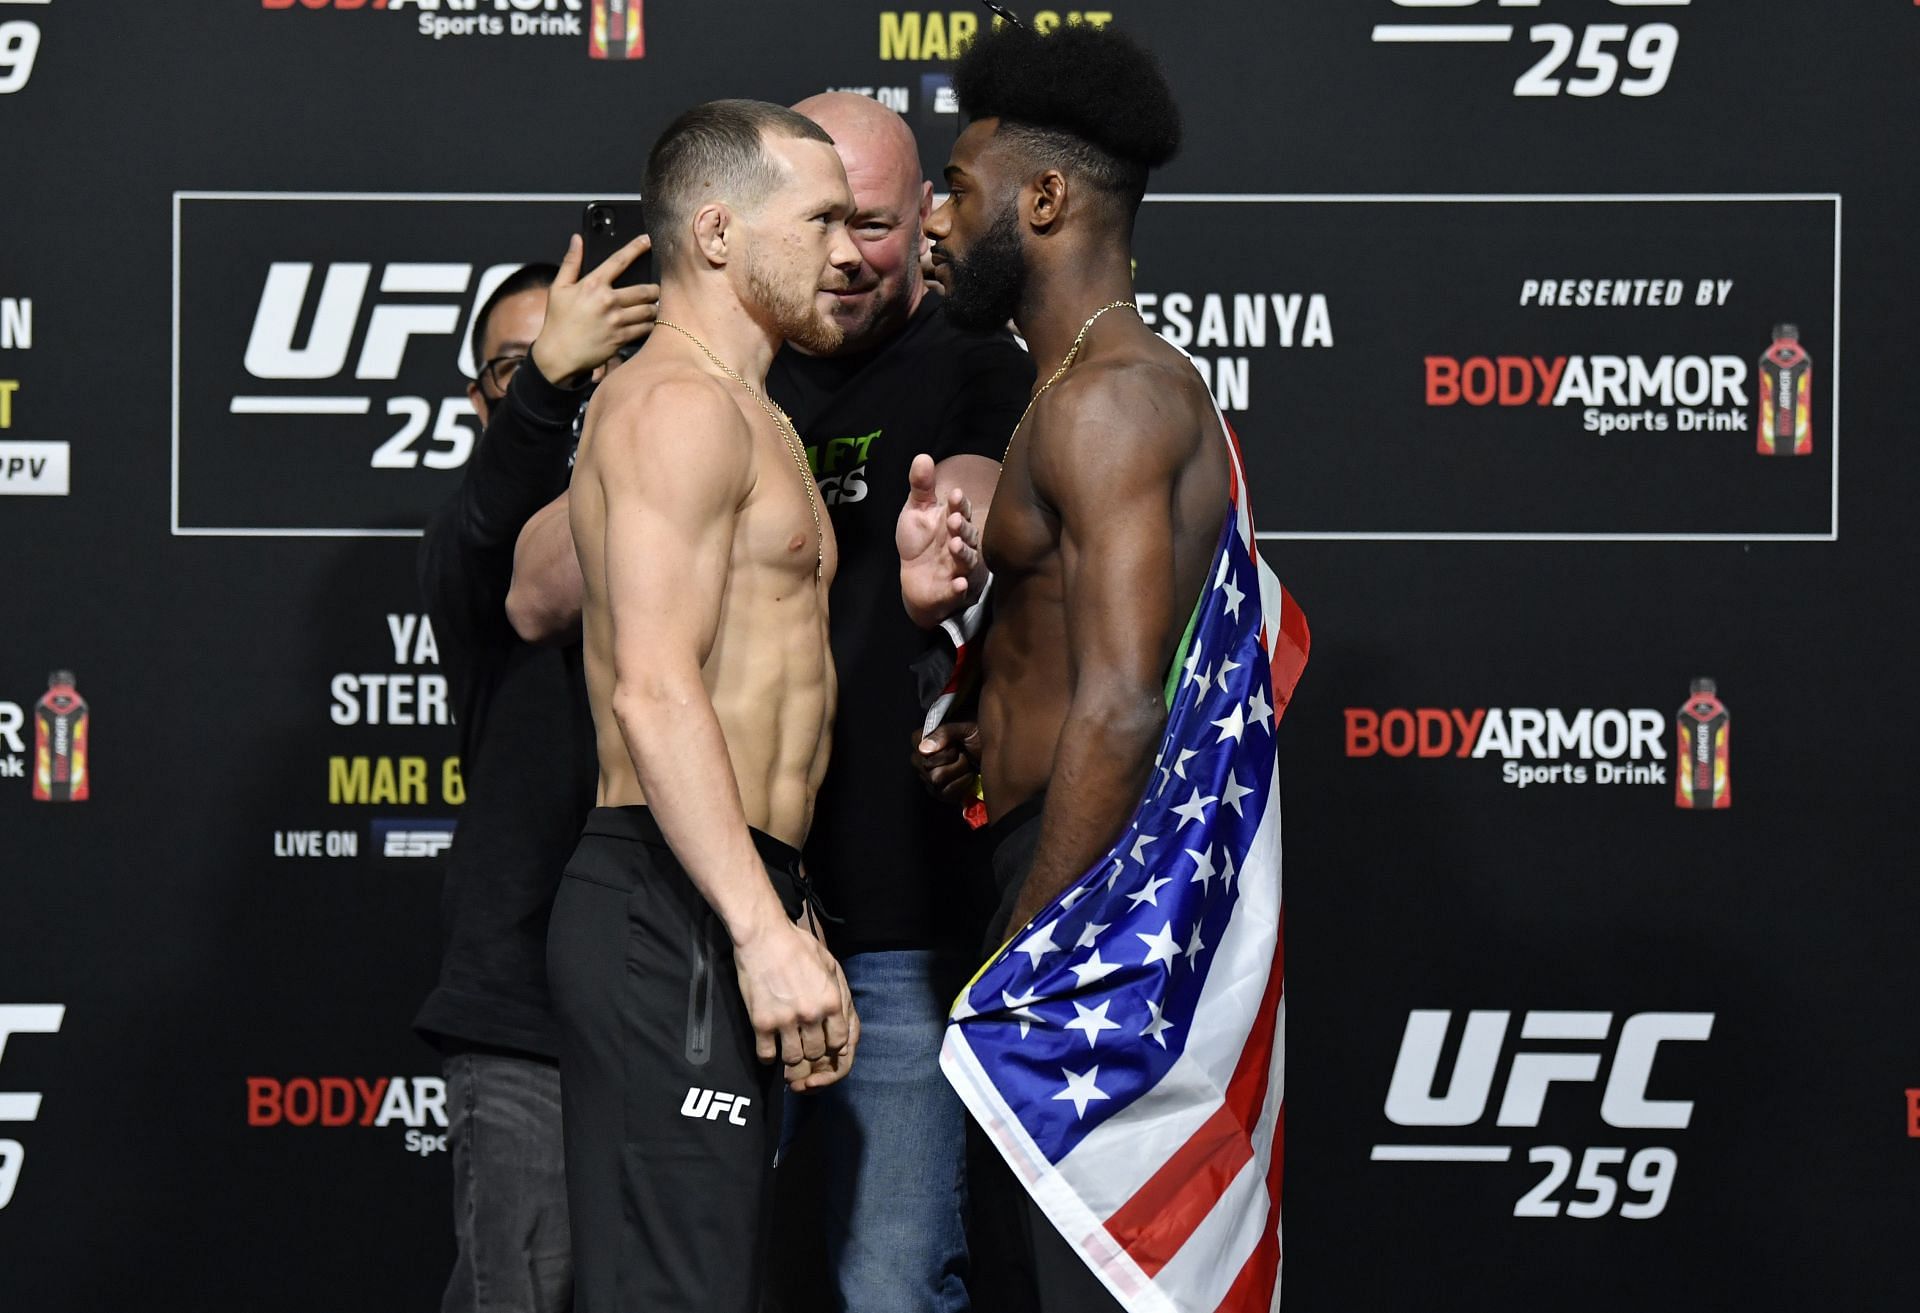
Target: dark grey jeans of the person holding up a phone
x=510, y=1187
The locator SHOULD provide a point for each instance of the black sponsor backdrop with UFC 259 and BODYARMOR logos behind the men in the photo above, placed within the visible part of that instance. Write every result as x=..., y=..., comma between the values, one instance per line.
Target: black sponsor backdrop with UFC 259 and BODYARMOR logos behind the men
x=231, y=558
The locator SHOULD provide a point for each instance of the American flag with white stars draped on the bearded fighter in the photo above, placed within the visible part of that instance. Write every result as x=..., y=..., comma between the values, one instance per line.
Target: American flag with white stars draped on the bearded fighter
x=1124, y=1051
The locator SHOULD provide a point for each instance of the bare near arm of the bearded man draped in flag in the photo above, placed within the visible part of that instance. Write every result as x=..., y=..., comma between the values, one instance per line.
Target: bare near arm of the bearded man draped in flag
x=1109, y=464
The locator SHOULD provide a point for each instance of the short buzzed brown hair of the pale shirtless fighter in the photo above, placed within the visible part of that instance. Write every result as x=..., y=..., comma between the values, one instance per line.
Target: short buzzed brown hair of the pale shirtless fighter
x=715, y=153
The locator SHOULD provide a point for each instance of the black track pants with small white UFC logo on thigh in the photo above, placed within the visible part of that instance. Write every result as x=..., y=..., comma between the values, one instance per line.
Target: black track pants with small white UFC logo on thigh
x=671, y=1120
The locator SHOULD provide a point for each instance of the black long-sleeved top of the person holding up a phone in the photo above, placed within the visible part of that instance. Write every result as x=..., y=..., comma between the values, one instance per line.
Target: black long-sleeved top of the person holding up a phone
x=527, y=734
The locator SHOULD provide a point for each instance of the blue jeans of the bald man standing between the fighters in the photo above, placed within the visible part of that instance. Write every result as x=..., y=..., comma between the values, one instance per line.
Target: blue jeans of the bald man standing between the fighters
x=894, y=1143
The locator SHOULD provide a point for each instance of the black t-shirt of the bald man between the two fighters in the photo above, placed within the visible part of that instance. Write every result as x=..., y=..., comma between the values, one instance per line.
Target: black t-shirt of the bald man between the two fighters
x=898, y=867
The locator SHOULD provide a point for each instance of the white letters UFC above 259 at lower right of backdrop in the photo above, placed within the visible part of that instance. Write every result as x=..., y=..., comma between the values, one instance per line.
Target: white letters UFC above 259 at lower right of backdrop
x=1412, y=1101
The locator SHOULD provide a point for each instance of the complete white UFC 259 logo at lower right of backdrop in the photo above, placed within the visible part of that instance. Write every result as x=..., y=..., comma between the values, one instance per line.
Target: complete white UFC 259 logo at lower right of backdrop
x=1612, y=1180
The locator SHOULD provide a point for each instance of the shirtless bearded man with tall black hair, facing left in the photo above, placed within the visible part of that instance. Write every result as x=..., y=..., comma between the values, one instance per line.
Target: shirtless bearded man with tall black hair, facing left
x=1113, y=492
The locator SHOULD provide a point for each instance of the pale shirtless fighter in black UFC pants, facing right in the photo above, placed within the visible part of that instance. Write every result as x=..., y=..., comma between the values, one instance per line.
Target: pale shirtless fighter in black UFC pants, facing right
x=683, y=957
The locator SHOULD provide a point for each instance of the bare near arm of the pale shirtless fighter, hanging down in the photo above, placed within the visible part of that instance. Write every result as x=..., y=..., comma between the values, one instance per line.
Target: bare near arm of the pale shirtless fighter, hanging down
x=667, y=548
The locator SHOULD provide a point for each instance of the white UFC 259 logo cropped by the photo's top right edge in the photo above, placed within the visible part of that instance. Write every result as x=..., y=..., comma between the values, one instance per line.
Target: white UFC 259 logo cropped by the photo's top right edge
x=1593, y=60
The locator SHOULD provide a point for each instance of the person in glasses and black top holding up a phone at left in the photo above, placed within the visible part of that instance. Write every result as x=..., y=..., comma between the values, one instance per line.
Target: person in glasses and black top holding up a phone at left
x=527, y=750
